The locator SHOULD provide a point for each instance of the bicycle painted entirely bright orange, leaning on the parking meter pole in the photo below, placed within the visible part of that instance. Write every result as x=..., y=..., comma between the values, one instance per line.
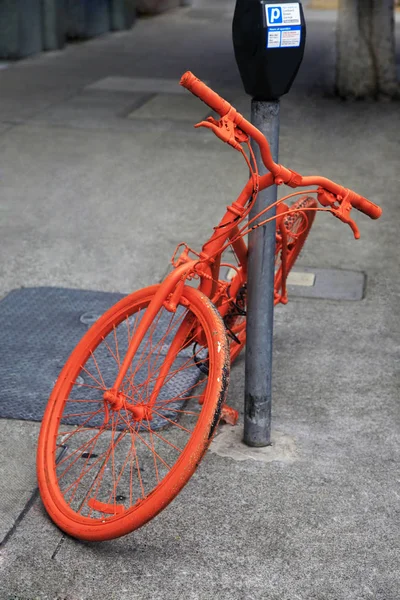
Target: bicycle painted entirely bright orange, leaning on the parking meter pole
x=139, y=399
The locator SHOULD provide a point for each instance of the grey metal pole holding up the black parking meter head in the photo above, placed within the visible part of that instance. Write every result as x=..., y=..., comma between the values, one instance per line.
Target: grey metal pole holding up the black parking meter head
x=260, y=292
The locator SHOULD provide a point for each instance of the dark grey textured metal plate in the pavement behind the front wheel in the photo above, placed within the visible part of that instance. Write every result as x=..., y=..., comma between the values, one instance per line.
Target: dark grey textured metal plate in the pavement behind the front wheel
x=39, y=329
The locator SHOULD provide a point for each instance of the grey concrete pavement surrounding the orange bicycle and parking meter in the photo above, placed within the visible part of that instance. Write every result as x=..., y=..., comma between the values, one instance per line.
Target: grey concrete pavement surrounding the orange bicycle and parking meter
x=101, y=177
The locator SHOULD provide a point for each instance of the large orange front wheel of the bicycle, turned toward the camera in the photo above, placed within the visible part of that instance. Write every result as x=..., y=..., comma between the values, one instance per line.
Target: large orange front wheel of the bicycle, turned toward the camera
x=104, y=472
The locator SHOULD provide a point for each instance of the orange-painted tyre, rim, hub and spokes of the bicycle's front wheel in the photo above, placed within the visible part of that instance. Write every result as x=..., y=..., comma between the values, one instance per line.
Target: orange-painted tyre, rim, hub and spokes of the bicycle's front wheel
x=85, y=510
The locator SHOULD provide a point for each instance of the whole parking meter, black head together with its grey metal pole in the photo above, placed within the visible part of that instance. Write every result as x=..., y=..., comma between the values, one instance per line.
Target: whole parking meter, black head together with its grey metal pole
x=269, y=38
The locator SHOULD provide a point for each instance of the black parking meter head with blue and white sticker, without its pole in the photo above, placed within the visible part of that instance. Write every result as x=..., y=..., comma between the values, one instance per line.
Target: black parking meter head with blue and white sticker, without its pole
x=269, y=39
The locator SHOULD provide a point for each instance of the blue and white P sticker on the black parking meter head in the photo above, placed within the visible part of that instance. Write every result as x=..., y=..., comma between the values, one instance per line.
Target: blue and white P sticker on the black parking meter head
x=284, y=25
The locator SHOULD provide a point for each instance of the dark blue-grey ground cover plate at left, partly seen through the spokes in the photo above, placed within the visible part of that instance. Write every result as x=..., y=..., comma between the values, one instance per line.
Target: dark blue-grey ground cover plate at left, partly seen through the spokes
x=39, y=329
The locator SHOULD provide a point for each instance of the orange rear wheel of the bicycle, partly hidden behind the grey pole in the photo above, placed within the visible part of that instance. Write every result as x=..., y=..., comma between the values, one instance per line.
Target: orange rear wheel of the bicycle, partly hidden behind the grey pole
x=293, y=223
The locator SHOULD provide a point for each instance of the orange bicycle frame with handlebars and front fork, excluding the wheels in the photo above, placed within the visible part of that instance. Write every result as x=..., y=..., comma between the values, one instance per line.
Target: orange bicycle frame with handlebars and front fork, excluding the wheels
x=235, y=130
